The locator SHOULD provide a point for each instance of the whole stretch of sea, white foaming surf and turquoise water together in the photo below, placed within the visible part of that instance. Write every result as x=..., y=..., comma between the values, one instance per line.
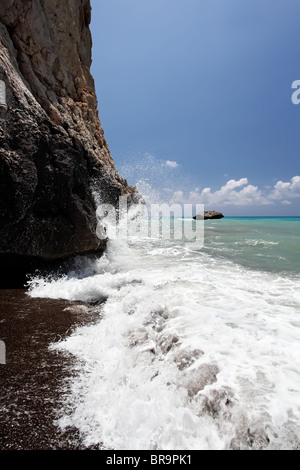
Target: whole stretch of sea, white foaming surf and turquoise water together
x=197, y=345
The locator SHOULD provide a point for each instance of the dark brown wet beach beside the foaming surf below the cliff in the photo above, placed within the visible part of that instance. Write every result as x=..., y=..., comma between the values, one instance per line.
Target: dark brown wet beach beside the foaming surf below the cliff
x=34, y=380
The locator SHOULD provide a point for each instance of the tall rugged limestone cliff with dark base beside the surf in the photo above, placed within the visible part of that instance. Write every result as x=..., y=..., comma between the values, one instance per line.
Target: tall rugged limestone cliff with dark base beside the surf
x=52, y=145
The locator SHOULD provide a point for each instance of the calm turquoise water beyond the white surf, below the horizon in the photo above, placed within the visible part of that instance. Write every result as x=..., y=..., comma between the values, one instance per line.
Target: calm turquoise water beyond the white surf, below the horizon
x=263, y=243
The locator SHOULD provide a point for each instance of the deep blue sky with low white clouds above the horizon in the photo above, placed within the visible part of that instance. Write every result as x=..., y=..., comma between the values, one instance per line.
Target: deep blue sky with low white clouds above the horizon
x=195, y=99
